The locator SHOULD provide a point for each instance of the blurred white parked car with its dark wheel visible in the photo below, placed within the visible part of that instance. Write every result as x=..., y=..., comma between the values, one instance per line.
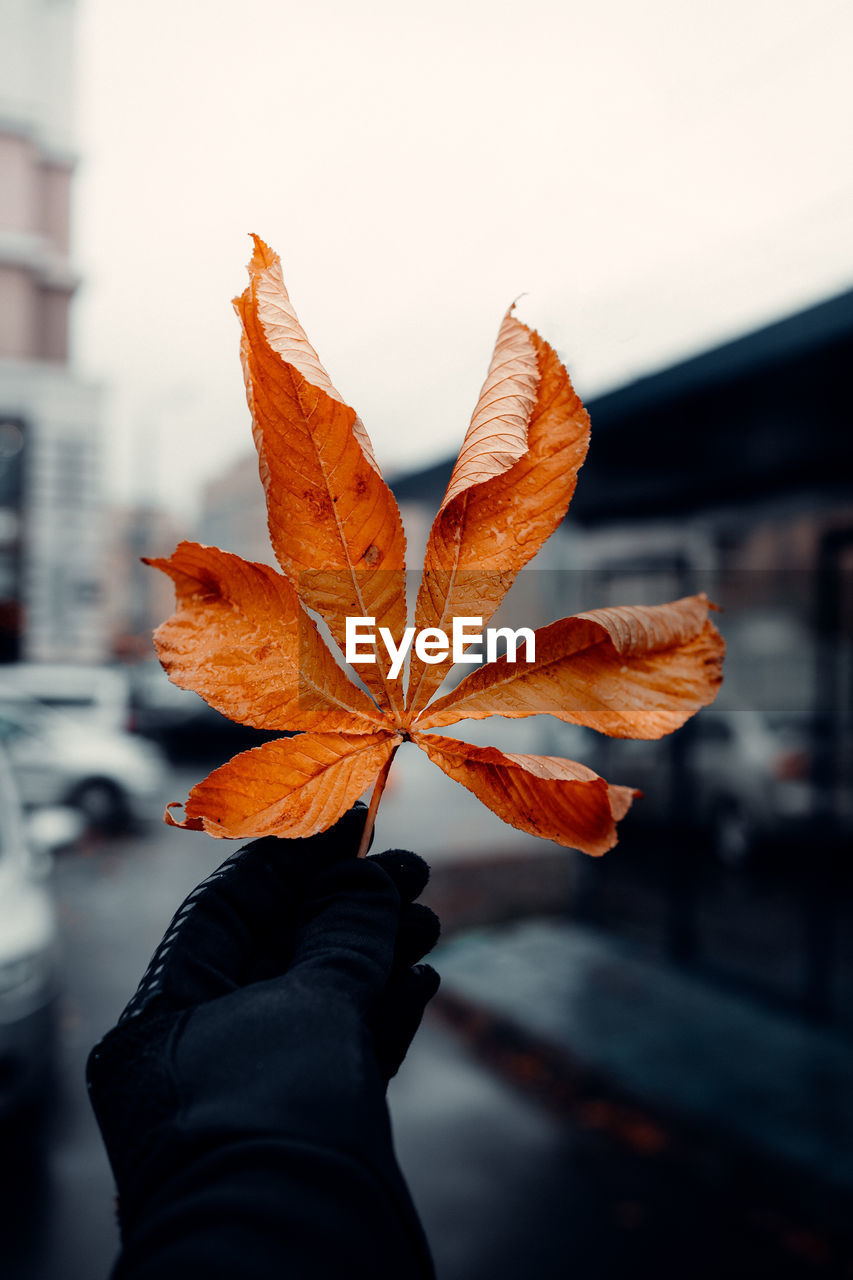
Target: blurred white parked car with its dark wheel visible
x=111, y=778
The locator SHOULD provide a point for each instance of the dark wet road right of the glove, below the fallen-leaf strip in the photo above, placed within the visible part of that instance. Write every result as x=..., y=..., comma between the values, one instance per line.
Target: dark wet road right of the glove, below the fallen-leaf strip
x=510, y=1188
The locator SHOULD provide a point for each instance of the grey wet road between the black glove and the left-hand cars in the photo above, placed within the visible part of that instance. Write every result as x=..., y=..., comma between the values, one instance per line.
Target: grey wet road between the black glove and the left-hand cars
x=116, y=898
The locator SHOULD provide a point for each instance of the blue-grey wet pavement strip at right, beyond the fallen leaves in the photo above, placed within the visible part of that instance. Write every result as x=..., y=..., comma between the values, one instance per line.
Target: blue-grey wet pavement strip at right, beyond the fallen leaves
x=763, y=1082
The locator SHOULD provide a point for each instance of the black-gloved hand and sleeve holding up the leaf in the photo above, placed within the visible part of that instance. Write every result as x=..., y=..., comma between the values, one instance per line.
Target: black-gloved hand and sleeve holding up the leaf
x=241, y=1095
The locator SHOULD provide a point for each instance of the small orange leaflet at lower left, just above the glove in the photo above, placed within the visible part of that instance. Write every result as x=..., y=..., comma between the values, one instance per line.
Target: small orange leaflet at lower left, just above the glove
x=295, y=787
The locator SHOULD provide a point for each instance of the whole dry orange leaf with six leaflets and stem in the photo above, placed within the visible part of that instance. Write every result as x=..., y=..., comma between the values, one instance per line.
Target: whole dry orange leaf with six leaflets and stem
x=241, y=636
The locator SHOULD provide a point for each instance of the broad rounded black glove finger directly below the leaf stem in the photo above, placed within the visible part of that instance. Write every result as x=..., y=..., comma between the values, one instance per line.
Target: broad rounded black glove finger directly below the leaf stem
x=349, y=934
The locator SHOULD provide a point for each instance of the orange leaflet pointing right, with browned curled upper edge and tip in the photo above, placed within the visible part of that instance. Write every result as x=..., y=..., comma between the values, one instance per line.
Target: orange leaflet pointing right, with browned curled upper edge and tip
x=628, y=673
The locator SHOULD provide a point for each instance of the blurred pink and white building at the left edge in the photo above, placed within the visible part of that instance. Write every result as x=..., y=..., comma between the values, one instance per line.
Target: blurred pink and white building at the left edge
x=49, y=446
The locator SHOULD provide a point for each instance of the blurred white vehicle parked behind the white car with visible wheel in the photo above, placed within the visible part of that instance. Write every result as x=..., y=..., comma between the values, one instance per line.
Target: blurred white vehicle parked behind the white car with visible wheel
x=99, y=696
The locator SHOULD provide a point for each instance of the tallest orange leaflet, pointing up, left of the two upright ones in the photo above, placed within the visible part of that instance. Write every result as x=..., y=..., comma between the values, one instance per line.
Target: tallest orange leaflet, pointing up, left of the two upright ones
x=334, y=522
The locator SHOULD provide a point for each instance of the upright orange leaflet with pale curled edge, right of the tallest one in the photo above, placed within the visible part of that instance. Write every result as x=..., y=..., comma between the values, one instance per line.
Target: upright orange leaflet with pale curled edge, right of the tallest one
x=505, y=496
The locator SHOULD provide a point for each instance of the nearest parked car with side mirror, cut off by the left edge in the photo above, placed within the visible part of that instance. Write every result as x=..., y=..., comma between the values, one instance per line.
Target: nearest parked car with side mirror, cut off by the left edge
x=29, y=959
